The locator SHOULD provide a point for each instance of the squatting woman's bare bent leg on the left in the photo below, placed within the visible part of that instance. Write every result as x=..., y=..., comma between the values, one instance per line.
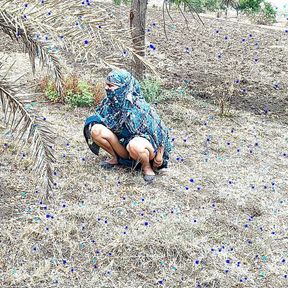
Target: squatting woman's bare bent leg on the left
x=107, y=140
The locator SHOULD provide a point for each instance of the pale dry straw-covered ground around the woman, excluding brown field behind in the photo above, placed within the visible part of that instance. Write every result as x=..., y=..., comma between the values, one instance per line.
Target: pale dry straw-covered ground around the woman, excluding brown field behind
x=217, y=217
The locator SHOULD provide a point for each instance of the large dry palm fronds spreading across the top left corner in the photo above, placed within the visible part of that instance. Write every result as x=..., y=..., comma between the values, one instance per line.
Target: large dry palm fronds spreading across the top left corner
x=87, y=31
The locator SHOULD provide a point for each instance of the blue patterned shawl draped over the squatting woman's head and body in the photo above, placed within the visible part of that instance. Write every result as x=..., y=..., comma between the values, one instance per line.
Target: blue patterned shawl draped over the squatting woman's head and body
x=127, y=106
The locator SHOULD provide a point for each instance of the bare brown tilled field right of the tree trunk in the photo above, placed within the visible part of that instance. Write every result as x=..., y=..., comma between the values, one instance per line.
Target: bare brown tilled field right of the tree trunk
x=221, y=53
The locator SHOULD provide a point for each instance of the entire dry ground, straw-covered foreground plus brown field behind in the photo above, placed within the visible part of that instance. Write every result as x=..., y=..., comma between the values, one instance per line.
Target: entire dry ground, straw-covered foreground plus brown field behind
x=216, y=217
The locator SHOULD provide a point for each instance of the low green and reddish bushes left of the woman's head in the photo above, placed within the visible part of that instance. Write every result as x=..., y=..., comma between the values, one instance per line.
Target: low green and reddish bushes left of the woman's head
x=77, y=93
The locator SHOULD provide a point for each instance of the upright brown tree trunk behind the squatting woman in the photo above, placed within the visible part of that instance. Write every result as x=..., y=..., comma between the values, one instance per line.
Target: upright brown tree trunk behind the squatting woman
x=137, y=26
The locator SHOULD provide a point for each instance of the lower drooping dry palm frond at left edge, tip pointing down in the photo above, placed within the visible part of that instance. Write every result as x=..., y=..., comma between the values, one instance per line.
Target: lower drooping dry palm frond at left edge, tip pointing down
x=29, y=129
